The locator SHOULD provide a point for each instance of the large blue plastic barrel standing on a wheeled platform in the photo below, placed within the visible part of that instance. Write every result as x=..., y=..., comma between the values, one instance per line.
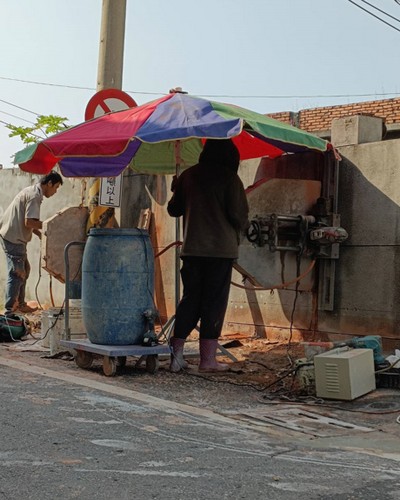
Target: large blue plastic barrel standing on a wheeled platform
x=117, y=285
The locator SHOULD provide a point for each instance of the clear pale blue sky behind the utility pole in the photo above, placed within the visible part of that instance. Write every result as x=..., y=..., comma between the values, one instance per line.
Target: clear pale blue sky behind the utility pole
x=265, y=55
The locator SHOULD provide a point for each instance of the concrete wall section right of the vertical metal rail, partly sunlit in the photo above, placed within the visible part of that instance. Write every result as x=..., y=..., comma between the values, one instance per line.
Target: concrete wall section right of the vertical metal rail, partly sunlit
x=368, y=273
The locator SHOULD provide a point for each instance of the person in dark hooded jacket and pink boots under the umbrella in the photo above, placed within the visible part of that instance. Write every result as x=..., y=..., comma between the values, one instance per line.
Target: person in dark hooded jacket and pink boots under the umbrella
x=211, y=198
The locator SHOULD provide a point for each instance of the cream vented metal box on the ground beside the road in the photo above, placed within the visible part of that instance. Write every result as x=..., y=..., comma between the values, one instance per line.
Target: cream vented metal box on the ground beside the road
x=344, y=375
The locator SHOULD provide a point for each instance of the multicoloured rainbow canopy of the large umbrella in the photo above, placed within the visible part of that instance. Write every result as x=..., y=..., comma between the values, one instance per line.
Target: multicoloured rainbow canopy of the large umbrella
x=156, y=137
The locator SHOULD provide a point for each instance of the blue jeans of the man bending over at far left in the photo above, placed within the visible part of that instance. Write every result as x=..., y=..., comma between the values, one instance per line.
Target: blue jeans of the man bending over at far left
x=18, y=270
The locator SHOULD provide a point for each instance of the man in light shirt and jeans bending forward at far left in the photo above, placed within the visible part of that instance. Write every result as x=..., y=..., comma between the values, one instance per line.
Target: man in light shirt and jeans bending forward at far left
x=20, y=220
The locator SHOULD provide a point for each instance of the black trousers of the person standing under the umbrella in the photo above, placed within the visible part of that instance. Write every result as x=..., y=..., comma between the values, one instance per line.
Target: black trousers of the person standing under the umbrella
x=206, y=283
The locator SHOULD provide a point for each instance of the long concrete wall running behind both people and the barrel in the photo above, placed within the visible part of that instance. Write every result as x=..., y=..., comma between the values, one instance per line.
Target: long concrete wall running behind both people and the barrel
x=367, y=295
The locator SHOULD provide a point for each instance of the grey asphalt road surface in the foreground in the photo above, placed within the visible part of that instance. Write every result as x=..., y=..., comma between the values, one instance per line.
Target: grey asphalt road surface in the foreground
x=64, y=435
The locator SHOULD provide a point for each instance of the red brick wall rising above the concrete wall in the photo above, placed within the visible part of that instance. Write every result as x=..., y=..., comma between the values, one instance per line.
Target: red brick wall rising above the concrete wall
x=316, y=119
